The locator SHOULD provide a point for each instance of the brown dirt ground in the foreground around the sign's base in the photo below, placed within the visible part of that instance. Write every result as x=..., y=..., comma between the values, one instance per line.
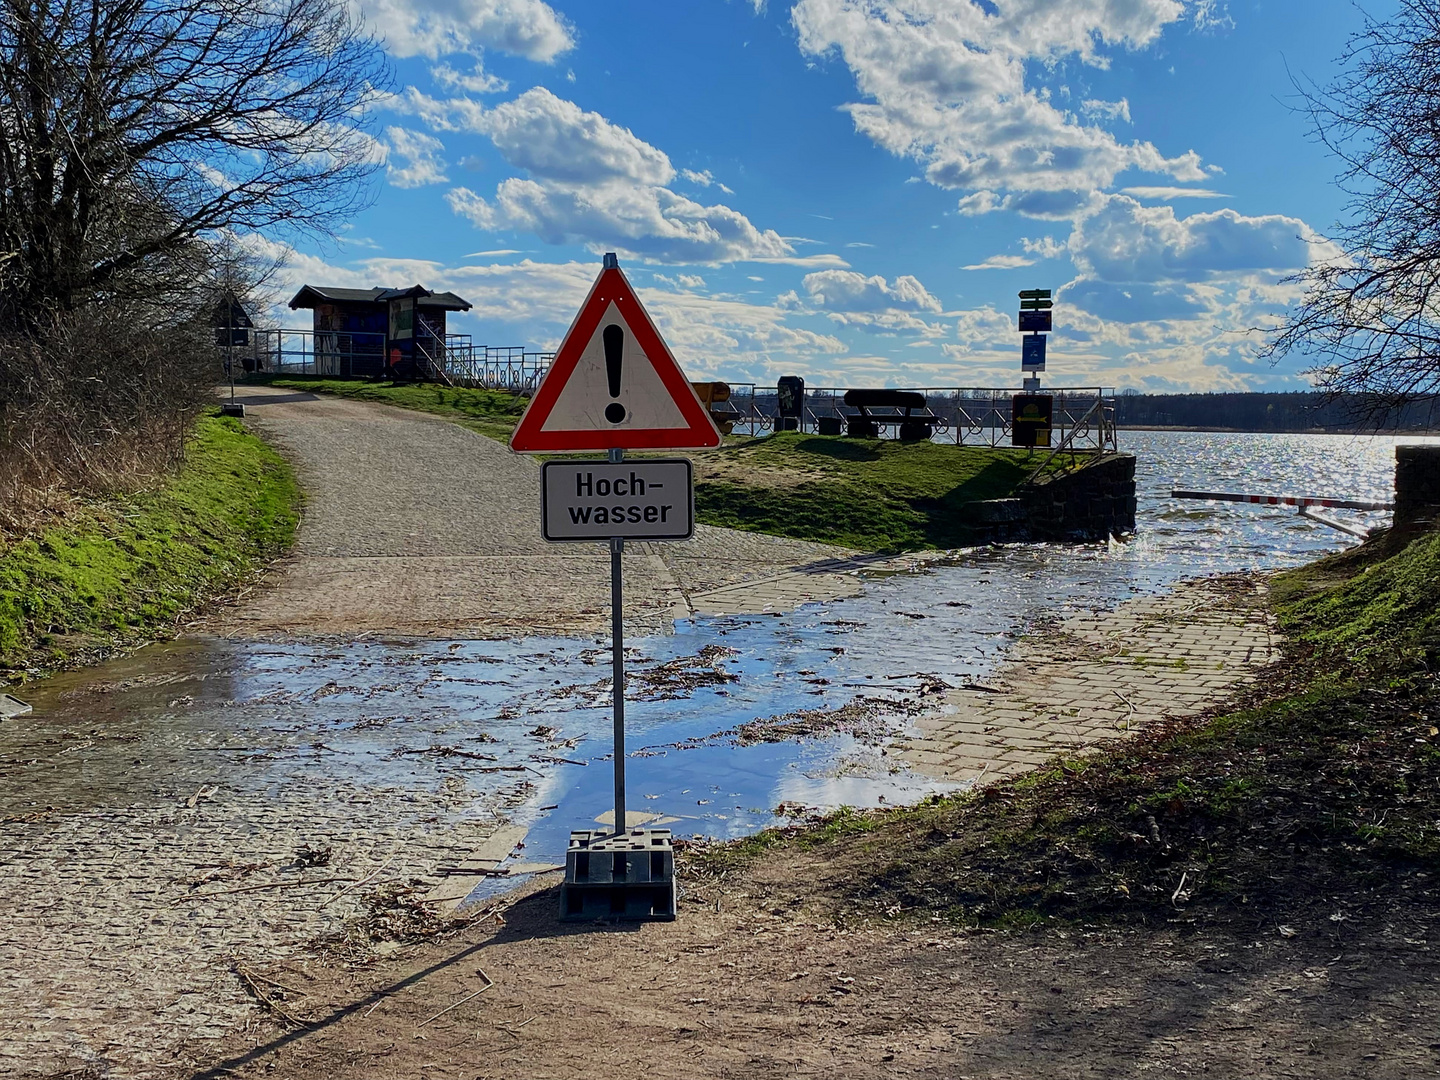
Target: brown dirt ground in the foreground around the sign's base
x=761, y=977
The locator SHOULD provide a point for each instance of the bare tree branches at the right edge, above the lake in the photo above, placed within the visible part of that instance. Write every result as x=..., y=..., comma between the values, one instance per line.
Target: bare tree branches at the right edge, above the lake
x=1372, y=320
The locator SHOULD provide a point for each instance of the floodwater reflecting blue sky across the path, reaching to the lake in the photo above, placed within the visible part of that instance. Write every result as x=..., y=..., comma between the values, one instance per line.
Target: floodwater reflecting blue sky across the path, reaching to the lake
x=731, y=718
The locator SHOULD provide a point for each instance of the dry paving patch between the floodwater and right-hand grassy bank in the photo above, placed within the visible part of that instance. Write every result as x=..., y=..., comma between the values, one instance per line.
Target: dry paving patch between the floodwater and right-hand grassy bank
x=1101, y=678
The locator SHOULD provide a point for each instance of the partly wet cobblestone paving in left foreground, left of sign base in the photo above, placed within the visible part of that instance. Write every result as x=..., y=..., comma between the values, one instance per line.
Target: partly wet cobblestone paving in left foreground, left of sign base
x=150, y=827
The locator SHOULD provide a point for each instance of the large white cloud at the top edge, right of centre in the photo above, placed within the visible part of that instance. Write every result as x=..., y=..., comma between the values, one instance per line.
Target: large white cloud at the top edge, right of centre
x=944, y=83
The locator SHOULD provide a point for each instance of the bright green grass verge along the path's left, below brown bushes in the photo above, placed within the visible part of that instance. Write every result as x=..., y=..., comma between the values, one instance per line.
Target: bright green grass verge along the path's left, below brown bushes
x=125, y=570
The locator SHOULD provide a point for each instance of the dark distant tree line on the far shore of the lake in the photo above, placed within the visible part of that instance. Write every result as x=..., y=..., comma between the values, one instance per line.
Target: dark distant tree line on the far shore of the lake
x=1272, y=413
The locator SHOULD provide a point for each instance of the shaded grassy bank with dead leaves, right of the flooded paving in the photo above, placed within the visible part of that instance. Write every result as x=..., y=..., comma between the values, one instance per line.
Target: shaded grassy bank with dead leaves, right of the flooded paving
x=1321, y=791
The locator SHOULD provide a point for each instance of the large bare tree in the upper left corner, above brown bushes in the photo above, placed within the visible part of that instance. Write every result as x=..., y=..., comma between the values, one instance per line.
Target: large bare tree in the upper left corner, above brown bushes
x=132, y=130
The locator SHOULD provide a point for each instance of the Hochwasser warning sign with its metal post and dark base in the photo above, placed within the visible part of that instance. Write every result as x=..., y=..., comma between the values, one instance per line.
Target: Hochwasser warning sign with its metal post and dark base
x=616, y=387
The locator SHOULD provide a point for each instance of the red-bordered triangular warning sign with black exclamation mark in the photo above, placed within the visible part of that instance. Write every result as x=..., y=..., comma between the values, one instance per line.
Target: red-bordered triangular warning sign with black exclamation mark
x=614, y=384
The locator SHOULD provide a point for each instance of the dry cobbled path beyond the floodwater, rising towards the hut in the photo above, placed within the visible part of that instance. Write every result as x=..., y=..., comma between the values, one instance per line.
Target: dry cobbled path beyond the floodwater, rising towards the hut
x=417, y=526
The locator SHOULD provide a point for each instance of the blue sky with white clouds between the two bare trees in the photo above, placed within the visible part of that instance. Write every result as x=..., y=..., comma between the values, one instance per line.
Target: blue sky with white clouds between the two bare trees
x=855, y=191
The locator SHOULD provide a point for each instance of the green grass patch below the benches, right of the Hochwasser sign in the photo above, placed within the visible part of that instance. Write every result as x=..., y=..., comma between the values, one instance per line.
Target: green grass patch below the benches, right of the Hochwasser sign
x=870, y=495
